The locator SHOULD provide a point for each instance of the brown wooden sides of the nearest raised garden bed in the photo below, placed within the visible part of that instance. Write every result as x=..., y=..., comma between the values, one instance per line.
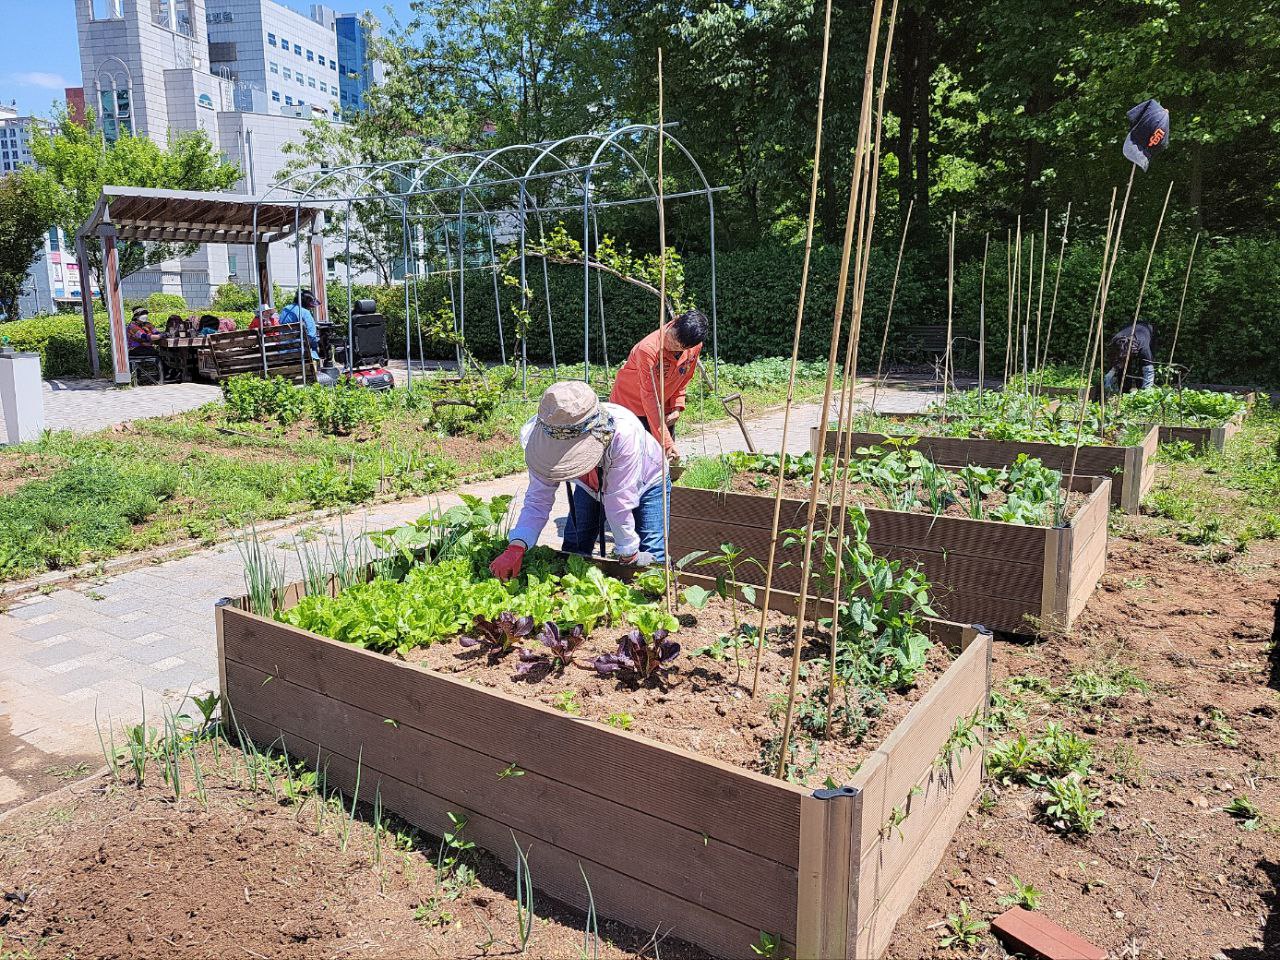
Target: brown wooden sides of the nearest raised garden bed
x=669, y=840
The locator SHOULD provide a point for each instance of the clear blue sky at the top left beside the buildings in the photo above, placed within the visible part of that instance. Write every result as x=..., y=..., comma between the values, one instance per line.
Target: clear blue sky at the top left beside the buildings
x=43, y=56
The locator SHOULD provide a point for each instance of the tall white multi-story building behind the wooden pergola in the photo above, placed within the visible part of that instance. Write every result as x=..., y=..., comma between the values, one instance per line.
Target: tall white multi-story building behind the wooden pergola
x=250, y=74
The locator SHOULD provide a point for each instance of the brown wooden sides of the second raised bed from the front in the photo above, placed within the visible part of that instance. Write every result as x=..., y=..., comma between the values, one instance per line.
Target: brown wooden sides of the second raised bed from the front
x=1008, y=577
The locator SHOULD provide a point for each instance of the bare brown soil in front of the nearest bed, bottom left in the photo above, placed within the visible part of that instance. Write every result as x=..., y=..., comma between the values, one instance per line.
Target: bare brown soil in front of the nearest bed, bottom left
x=127, y=875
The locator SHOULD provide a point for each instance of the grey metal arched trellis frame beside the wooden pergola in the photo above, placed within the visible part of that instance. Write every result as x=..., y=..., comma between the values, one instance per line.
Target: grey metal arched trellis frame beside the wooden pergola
x=440, y=193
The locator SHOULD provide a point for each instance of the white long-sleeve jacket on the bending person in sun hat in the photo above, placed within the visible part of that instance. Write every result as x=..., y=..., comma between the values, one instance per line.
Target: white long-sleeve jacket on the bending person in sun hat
x=633, y=464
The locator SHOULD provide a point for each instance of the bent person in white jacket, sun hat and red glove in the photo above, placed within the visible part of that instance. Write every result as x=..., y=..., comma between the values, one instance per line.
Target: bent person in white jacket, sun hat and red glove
x=618, y=473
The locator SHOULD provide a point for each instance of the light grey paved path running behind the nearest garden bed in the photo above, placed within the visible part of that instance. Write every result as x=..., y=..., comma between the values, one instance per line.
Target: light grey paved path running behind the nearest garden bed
x=84, y=660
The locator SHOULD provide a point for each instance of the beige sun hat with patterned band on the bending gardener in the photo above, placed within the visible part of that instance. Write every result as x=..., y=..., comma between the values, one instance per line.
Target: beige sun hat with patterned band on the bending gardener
x=570, y=433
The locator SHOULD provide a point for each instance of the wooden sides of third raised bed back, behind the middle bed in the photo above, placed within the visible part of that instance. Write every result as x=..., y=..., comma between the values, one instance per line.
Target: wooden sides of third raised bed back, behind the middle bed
x=1131, y=469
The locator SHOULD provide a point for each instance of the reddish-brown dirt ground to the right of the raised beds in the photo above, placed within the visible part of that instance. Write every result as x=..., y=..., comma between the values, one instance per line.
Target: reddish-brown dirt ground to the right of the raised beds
x=1167, y=872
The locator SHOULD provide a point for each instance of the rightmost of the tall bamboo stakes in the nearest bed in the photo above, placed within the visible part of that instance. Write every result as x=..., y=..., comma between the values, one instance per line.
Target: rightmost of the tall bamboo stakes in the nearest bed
x=849, y=390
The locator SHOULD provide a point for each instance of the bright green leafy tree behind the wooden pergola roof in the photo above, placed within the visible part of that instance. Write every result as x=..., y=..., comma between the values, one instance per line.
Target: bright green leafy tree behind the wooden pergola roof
x=75, y=163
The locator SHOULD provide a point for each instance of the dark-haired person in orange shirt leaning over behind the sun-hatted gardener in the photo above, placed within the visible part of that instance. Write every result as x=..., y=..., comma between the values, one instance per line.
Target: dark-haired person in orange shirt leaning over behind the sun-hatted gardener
x=679, y=345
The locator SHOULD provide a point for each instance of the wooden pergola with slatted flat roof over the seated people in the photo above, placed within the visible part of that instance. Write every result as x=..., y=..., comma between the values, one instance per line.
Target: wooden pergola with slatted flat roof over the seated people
x=143, y=214
